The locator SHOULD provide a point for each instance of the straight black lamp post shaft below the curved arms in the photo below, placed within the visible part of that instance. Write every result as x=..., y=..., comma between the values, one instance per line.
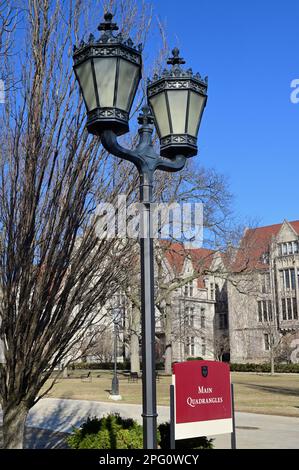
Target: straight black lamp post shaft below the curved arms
x=149, y=411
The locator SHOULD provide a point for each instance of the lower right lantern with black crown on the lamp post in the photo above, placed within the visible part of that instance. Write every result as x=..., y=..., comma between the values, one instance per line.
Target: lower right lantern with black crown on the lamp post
x=177, y=98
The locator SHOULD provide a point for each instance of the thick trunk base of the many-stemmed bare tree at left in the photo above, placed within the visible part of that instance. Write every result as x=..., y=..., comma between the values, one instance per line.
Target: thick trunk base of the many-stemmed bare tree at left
x=14, y=418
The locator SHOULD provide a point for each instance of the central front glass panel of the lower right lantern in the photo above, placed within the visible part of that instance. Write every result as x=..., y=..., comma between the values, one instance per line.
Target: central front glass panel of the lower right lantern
x=178, y=107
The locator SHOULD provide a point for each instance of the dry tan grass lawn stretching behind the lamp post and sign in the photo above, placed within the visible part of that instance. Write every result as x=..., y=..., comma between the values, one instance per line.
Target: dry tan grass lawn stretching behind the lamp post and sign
x=255, y=393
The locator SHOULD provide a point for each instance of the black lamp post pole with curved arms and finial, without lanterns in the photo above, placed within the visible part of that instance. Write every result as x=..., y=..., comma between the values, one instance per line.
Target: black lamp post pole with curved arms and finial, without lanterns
x=147, y=161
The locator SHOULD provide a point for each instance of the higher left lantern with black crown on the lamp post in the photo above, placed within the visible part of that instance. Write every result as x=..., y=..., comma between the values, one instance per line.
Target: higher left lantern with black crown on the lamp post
x=108, y=70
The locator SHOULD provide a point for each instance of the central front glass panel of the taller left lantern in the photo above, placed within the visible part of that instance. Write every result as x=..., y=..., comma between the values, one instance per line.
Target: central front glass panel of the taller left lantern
x=105, y=72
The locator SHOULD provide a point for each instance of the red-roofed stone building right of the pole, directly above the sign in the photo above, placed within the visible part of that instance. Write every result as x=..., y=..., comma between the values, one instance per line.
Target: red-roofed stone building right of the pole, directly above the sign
x=199, y=307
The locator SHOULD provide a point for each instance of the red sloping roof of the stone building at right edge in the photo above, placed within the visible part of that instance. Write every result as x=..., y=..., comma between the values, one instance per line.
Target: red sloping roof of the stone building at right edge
x=255, y=245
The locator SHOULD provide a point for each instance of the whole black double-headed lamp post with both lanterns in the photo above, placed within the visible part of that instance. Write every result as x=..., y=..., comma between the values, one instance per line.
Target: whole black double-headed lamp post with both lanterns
x=108, y=70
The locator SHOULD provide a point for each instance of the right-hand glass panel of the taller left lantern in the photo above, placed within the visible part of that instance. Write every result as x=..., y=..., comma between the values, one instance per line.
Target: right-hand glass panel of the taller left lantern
x=128, y=79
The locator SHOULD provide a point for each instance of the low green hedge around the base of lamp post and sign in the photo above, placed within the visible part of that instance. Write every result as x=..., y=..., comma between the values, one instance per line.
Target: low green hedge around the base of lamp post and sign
x=114, y=432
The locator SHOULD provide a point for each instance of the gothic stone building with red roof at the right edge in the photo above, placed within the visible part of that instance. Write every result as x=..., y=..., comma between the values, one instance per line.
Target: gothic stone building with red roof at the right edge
x=263, y=290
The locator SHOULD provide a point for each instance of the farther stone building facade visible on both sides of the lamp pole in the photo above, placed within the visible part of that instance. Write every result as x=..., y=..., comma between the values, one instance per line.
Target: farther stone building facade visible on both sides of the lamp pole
x=199, y=312
